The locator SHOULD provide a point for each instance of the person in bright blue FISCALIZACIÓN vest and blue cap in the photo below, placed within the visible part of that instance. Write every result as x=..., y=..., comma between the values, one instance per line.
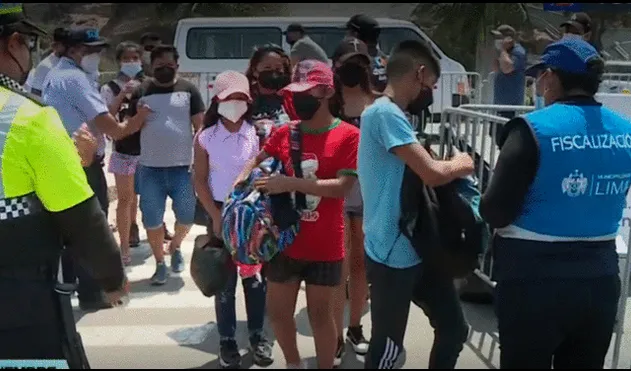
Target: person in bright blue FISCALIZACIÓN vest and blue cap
x=556, y=198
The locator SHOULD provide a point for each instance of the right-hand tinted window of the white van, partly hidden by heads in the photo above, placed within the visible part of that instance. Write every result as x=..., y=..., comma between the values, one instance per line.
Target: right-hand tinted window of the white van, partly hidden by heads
x=329, y=37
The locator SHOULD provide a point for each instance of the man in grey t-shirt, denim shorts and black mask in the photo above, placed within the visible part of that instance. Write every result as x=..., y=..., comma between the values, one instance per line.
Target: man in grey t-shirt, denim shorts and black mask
x=166, y=151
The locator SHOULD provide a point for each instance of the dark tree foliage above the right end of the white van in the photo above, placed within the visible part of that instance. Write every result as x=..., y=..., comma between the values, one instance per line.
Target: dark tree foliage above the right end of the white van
x=458, y=28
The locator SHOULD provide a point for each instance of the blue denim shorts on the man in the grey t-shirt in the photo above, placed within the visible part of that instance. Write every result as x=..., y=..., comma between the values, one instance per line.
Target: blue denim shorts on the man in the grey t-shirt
x=156, y=184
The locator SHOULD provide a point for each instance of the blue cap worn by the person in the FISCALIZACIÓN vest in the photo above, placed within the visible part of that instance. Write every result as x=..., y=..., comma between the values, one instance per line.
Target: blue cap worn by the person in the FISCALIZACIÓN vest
x=570, y=54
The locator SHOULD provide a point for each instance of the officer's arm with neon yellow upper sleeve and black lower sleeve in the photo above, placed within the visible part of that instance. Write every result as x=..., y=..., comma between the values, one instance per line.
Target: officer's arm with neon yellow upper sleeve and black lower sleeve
x=61, y=185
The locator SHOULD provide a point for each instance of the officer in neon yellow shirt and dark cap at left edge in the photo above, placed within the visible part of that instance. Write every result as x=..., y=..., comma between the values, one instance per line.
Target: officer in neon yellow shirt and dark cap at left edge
x=44, y=198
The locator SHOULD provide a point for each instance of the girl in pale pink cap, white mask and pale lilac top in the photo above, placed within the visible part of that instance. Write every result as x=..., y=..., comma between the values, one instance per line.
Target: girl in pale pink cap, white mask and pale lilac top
x=222, y=149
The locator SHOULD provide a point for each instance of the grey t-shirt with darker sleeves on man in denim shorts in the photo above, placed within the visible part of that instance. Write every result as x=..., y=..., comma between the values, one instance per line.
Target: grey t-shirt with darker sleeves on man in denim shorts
x=166, y=139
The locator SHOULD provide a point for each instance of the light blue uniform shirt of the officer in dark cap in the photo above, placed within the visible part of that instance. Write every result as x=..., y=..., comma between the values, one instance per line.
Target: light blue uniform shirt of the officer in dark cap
x=76, y=98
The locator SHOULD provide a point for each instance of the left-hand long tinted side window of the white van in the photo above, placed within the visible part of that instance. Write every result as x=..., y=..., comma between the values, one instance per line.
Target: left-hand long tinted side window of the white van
x=227, y=42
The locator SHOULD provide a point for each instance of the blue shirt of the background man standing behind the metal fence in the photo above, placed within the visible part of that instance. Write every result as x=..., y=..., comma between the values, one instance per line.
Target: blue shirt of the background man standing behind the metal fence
x=511, y=87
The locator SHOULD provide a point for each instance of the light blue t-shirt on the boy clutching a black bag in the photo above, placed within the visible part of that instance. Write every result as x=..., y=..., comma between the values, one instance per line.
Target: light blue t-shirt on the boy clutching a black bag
x=384, y=127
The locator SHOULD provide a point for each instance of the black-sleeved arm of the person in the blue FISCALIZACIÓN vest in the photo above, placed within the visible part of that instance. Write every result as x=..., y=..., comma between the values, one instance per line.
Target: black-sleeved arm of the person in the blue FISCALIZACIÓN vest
x=513, y=175
